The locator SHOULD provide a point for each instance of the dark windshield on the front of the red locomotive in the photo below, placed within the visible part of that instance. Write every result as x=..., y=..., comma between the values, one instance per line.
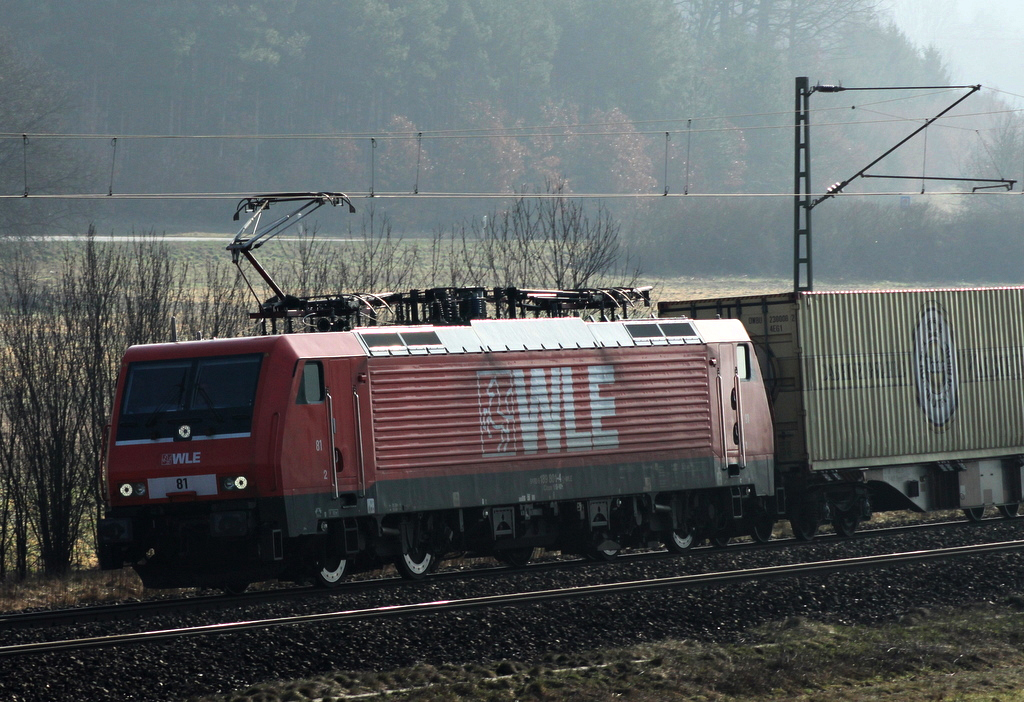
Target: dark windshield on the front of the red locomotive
x=189, y=399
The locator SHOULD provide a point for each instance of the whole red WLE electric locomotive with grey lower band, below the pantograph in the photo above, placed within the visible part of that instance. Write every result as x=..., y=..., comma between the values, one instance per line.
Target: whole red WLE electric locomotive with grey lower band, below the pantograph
x=302, y=457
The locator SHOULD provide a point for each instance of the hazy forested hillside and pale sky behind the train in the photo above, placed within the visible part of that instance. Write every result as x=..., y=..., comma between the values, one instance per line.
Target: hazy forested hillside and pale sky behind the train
x=678, y=114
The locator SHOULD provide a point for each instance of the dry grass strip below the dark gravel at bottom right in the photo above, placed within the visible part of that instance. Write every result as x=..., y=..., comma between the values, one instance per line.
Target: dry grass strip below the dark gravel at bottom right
x=970, y=655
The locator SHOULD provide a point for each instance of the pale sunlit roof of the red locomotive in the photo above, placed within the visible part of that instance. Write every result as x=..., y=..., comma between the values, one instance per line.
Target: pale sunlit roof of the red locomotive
x=481, y=337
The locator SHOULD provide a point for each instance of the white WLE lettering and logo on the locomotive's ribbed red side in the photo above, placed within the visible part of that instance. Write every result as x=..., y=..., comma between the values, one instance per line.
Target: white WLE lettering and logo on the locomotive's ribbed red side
x=545, y=410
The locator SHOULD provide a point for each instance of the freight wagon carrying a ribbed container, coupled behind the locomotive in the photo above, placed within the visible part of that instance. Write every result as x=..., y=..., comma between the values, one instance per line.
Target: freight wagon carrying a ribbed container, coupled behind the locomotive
x=888, y=401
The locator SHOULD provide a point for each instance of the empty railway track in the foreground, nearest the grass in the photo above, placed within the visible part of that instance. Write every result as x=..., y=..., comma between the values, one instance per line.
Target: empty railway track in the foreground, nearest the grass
x=515, y=599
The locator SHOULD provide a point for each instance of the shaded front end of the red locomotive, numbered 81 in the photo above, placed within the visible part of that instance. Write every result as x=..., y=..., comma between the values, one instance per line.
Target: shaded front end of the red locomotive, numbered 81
x=183, y=484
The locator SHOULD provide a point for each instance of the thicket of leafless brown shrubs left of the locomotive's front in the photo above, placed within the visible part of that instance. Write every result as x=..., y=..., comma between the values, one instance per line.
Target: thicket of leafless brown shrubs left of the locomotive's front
x=62, y=338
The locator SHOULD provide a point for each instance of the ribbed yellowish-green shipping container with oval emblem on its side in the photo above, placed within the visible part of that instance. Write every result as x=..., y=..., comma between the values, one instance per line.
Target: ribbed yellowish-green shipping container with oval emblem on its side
x=863, y=380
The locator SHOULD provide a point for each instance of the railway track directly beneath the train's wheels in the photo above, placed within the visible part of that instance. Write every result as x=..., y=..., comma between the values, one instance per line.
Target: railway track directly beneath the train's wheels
x=206, y=602
